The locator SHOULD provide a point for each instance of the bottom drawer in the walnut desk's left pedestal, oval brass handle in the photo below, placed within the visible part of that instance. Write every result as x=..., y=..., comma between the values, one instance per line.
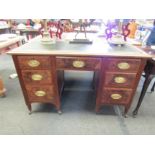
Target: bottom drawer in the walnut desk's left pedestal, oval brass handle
x=40, y=93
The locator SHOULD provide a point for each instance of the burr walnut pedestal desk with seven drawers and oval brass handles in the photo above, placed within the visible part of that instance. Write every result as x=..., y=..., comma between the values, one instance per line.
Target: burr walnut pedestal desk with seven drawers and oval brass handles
x=40, y=69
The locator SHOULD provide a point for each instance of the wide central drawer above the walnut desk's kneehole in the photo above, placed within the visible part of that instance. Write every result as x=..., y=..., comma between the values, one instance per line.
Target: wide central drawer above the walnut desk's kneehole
x=78, y=63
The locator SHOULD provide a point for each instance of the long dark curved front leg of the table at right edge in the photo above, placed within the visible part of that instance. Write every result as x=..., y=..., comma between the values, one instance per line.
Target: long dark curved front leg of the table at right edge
x=144, y=89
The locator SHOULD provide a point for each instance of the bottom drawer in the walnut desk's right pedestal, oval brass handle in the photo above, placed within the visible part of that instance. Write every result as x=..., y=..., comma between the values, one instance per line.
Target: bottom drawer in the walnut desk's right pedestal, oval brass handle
x=116, y=96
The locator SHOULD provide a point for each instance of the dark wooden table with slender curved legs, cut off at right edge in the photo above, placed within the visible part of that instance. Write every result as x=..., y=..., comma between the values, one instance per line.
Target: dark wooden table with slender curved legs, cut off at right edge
x=149, y=75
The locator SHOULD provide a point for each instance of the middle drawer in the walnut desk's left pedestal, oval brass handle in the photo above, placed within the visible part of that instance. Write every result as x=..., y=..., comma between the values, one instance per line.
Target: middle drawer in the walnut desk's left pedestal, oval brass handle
x=37, y=76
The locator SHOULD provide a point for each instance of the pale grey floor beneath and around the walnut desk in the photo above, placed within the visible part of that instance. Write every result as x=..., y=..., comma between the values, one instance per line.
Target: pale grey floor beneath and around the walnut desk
x=78, y=102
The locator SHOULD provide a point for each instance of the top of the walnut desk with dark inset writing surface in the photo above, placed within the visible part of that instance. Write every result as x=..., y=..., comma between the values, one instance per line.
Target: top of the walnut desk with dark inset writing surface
x=99, y=48
